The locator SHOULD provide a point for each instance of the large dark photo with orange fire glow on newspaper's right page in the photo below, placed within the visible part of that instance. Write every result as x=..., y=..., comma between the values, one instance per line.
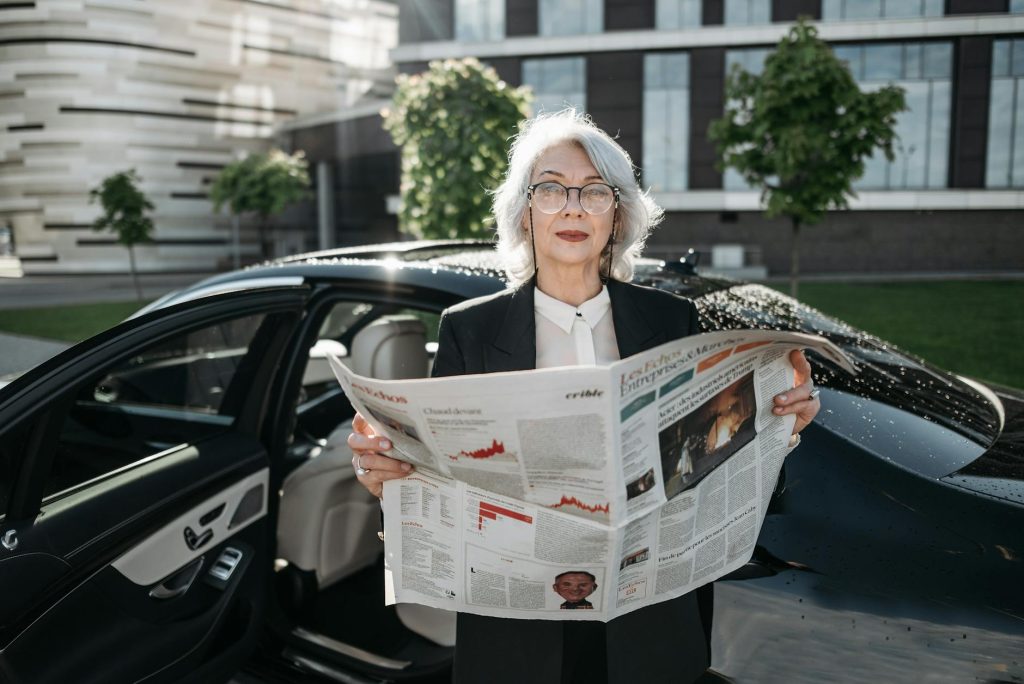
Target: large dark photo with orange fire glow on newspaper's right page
x=700, y=442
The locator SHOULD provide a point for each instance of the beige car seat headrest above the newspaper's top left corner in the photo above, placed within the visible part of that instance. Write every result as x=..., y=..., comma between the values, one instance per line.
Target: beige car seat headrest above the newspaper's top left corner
x=393, y=348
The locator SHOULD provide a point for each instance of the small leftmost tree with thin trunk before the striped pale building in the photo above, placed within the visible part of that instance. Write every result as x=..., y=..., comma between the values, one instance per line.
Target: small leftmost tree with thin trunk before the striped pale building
x=124, y=215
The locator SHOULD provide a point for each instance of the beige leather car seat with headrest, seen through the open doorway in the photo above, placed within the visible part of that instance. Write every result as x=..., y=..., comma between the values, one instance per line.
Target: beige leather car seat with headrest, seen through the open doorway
x=329, y=522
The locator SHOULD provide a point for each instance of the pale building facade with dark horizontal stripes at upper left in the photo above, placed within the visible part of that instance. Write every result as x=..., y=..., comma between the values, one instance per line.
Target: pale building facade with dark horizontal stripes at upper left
x=176, y=90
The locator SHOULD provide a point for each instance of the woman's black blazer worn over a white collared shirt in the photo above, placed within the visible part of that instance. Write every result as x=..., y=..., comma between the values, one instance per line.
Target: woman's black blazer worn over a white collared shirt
x=667, y=643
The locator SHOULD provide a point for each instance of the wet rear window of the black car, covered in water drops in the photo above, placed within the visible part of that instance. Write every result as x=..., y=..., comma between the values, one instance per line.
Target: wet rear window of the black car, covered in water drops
x=888, y=374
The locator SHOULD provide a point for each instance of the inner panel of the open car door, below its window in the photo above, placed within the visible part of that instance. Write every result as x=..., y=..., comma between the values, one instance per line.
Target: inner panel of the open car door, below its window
x=129, y=538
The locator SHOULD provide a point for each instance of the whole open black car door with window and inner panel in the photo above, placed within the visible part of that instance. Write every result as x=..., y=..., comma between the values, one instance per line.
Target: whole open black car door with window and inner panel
x=135, y=490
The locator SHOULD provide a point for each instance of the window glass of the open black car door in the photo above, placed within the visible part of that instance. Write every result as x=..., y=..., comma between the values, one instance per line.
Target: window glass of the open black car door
x=179, y=392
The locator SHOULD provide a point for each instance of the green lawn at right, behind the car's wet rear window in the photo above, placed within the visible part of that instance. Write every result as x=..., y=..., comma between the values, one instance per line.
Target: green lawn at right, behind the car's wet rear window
x=974, y=328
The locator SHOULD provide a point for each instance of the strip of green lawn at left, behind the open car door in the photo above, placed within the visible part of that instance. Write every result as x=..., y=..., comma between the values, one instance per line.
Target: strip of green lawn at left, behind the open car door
x=68, y=324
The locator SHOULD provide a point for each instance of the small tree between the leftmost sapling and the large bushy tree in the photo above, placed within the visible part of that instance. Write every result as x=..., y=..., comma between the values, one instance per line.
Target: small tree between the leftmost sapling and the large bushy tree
x=264, y=185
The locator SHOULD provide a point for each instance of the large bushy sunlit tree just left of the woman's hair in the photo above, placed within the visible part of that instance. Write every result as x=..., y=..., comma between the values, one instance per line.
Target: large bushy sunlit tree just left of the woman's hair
x=454, y=123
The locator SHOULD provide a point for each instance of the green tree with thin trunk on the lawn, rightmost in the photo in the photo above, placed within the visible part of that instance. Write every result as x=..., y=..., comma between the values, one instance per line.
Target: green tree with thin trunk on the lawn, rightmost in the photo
x=802, y=131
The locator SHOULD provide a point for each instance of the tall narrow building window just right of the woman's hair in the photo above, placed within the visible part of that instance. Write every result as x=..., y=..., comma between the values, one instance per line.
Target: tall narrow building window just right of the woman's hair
x=666, y=121
